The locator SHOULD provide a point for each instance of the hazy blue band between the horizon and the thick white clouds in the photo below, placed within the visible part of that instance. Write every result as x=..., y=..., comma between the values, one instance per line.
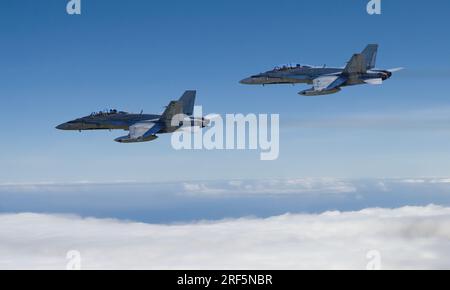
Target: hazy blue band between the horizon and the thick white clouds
x=215, y=200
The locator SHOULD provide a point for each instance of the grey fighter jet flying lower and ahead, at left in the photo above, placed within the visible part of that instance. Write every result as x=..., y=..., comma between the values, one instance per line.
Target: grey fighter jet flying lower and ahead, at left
x=142, y=127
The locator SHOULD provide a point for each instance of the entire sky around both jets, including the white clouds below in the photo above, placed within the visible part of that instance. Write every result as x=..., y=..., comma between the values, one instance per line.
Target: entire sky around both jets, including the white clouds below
x=366, y=169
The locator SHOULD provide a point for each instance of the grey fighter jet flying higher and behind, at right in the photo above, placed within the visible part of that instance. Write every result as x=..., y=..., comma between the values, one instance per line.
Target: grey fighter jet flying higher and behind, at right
x=327, y=80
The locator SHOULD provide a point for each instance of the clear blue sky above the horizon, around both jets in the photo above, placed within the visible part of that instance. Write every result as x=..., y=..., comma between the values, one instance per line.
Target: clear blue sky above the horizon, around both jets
x=134, y=55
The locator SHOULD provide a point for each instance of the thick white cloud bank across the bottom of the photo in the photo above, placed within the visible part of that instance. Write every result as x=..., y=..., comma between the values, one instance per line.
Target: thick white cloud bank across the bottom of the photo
x=409, y=237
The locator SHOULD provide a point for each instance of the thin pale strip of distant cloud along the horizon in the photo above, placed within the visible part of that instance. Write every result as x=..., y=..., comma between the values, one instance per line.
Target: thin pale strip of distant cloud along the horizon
x=232, y=187
